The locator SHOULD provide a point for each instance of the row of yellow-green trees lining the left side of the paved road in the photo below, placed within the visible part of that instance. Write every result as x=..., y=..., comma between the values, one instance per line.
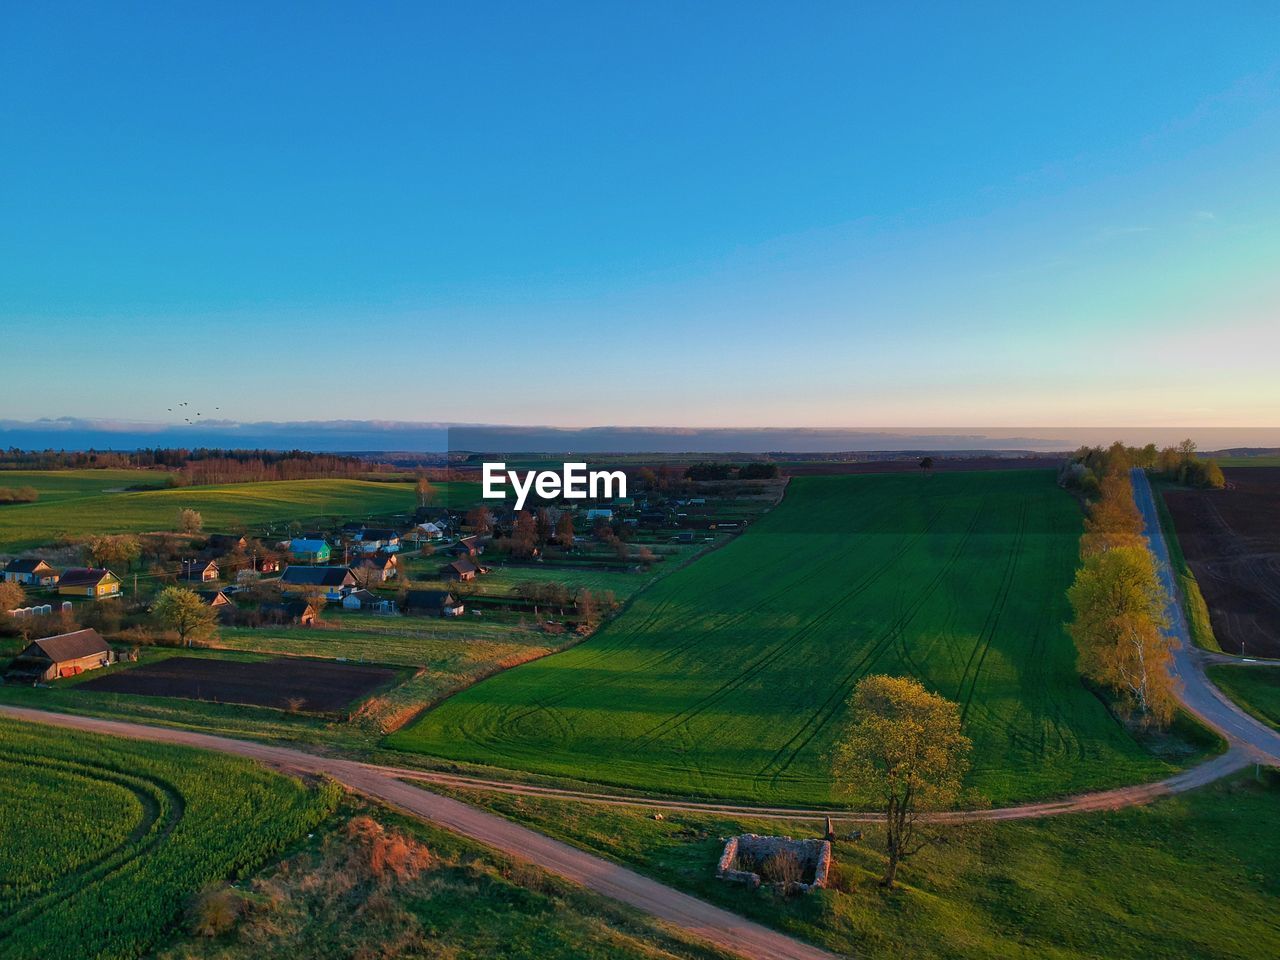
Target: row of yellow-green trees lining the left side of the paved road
x=1119, y=604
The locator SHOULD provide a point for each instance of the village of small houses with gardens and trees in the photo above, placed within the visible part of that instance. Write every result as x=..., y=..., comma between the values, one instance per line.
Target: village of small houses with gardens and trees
x=555, y=572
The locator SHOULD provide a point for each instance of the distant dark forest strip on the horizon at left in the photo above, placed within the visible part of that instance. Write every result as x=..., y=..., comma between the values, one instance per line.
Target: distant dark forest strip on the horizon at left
x=200, y=467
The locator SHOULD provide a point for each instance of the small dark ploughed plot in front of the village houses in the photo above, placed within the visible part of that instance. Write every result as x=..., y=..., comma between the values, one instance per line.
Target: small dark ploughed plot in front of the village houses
x=310, y=685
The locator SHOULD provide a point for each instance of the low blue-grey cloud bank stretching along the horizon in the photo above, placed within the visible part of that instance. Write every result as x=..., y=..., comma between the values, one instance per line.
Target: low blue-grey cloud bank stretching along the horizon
x=381, y=436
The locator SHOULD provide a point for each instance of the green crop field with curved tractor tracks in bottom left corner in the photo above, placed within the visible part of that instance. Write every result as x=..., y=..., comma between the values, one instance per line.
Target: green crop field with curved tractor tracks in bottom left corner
x=106, y=839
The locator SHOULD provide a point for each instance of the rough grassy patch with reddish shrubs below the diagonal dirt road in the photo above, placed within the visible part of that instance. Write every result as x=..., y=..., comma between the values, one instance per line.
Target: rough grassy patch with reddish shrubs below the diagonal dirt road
x=337, y=899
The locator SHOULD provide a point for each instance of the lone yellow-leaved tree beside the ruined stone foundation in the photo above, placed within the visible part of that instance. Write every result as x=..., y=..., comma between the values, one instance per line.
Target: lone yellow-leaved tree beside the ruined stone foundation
x=904, y=748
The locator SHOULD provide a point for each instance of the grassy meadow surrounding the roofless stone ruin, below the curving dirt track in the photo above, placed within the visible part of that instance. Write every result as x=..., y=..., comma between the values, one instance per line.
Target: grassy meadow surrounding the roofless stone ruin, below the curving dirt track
x=1195, y=876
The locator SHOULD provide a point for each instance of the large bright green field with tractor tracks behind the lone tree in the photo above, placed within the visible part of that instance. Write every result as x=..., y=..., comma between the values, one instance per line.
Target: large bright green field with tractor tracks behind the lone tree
x=730, y=678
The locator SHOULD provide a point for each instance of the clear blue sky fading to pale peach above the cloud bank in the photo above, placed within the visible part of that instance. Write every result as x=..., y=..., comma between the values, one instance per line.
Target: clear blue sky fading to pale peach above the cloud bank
x=679, y=214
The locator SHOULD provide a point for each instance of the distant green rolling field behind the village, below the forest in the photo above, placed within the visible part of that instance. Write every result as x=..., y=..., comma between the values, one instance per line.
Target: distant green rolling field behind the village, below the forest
x=79, y=504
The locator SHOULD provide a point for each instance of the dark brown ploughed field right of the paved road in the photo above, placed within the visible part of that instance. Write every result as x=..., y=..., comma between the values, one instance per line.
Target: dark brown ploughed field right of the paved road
x=1232, y=542
